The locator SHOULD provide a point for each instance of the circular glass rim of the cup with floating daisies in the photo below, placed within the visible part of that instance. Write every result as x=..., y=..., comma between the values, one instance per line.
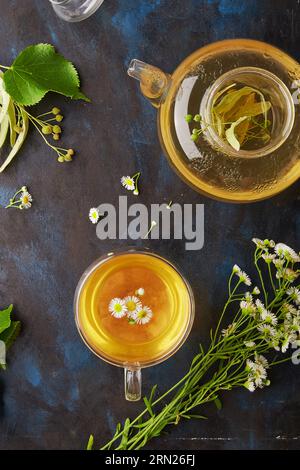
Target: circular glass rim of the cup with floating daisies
x=119, y=252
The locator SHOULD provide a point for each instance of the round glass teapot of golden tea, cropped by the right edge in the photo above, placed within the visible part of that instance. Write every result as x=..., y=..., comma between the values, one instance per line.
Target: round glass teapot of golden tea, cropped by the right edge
x=211, y=165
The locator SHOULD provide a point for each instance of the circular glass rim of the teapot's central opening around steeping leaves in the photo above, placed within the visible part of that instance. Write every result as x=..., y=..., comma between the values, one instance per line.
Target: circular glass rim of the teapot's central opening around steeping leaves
x=215, y=139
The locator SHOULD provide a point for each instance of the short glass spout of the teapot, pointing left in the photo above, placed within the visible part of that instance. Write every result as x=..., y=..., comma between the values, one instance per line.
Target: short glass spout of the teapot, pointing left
x=154, y=82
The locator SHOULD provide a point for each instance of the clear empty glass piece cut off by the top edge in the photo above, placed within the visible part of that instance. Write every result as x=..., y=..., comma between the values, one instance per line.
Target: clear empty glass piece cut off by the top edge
x=75, y=10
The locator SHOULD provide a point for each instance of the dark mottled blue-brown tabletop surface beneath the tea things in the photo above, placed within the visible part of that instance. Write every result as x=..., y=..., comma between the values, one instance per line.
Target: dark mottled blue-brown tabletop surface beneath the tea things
x=55, y=392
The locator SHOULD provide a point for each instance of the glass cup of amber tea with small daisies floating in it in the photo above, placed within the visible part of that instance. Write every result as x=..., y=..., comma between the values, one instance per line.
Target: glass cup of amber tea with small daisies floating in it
x=160, y=324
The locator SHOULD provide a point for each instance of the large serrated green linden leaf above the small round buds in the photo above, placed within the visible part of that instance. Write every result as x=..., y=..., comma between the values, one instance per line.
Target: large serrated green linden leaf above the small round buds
x=37, y=70
